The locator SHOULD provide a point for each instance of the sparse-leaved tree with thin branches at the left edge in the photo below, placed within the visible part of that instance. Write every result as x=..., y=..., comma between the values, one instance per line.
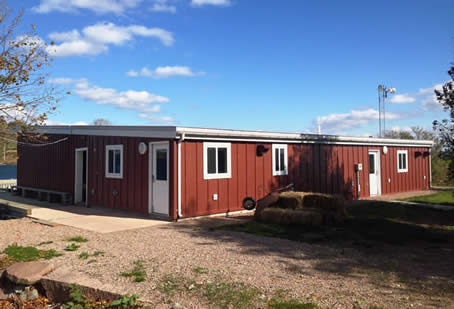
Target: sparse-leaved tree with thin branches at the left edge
x=25, y=98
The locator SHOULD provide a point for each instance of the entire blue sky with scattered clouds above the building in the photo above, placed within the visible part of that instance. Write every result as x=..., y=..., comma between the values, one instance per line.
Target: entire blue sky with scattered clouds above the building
x=246, y=64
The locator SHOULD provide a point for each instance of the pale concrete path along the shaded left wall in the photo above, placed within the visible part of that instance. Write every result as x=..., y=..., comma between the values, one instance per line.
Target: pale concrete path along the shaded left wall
x=100, y=220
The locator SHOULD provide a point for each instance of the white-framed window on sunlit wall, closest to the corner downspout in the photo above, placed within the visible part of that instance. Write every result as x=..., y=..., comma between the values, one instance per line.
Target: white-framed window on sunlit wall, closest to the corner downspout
x=216, y=160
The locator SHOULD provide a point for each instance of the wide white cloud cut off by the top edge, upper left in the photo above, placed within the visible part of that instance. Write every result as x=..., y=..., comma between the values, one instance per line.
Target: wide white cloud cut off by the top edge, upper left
x=97, y=6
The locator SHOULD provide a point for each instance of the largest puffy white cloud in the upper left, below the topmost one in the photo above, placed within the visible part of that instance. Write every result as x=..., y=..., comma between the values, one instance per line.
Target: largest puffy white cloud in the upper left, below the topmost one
x=96, y=39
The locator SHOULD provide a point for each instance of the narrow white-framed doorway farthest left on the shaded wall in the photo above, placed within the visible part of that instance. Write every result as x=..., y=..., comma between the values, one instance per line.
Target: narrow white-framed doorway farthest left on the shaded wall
x=81, y=176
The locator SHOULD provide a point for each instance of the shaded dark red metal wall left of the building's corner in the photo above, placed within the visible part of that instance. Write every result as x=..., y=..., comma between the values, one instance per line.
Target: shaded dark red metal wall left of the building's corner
x=52, y=167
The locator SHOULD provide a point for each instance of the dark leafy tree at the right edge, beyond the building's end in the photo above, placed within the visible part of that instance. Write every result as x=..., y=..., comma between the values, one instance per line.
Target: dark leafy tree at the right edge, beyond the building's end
x=445, y=127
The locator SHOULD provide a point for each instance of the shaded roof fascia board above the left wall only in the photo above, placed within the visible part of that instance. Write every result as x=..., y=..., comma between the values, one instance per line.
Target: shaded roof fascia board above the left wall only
x=127, y=131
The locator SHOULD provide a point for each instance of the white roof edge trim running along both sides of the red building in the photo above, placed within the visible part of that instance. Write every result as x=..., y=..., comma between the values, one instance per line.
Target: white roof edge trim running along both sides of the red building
x=172, y=132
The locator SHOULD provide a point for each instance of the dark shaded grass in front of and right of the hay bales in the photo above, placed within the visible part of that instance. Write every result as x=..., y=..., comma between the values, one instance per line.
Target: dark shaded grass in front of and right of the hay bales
x=368, y=222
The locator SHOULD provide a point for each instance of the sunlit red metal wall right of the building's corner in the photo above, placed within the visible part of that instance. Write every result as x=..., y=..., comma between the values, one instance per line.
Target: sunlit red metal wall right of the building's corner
x=312, y=167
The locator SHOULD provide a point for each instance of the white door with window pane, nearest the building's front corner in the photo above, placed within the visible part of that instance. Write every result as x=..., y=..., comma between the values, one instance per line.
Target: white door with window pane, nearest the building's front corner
x=159, y=153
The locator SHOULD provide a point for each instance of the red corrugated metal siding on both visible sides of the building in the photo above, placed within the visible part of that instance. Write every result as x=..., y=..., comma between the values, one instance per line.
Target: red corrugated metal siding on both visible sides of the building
x=312, y=167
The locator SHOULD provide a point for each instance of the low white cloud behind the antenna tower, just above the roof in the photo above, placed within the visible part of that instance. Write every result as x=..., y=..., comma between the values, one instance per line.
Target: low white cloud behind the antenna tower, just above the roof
x=354, y=119
